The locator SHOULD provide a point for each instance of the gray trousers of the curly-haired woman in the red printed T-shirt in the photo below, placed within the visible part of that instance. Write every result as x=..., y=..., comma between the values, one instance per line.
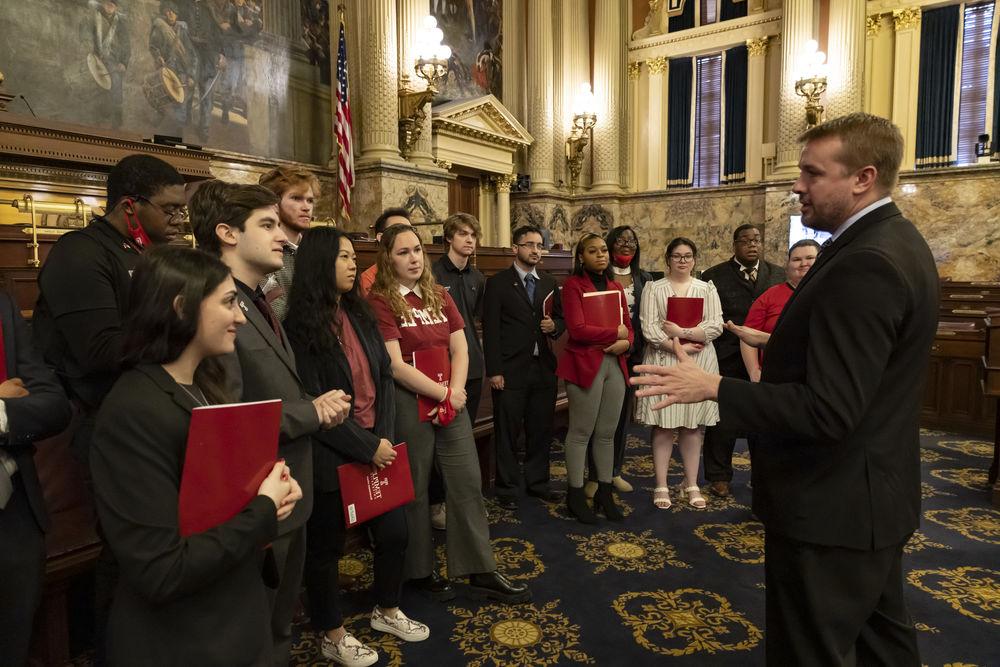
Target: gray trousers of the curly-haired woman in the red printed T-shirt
x=453, y=450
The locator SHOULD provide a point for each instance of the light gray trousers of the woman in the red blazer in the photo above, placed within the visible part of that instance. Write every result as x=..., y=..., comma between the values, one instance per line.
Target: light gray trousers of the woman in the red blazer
x=594, y=410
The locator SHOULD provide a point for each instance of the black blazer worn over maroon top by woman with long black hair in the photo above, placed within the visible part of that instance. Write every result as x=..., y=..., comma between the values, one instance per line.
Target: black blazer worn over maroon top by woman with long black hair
x=320, y=373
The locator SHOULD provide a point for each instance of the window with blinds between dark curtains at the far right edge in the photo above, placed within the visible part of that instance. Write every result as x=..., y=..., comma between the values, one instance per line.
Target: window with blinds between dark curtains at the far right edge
x=975, y=70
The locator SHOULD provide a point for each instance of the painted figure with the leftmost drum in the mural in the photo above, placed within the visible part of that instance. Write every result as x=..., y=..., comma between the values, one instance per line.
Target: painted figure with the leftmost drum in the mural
x=109, y=57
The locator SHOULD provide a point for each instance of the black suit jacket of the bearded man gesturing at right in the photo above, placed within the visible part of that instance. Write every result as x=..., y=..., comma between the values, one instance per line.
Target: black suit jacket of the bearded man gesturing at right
x=837, y=461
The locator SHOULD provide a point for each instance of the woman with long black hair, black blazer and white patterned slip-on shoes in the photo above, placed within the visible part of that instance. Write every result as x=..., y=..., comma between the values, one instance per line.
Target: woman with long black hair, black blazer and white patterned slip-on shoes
x=338, y=346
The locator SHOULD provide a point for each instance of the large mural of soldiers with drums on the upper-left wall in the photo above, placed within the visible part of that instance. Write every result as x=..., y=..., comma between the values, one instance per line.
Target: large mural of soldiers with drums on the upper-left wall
x=194, y=69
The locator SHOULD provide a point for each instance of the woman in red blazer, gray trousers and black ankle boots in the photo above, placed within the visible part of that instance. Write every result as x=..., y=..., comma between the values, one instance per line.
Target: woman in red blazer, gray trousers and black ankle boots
x=593, y=366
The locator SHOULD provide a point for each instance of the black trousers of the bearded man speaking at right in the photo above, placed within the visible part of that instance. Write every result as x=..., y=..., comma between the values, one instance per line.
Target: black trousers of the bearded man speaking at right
x=836, y=606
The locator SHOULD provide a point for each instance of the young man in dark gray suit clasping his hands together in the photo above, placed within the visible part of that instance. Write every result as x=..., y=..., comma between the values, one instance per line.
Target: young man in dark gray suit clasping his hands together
x=240, y=224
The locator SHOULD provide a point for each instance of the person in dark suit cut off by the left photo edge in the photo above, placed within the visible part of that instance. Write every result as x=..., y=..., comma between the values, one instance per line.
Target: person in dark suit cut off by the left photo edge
x=33, y=406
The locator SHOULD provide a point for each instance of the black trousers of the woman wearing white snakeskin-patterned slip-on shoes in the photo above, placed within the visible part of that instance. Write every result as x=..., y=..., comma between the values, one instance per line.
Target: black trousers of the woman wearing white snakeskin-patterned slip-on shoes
x=325, y=547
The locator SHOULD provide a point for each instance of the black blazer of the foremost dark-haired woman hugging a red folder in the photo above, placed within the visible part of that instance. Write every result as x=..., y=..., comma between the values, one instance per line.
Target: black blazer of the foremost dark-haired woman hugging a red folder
x=198, y=600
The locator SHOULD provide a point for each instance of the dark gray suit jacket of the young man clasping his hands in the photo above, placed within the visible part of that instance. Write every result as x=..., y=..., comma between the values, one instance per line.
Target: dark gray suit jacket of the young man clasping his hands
x=263, y=368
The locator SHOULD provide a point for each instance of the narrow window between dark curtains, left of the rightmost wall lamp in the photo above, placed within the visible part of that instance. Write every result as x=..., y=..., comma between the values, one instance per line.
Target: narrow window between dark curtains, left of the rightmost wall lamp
x=707, y=120
